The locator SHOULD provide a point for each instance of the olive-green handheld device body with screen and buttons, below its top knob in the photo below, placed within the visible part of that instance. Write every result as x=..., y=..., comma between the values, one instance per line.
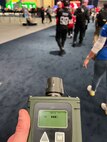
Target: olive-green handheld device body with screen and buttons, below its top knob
x=54, y=119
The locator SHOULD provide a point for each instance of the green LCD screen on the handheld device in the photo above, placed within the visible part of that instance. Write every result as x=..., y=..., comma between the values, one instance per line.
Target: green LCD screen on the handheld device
x=52, y=119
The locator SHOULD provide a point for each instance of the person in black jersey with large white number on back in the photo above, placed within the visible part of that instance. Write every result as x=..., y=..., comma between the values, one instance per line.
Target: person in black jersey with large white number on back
x=63, y=16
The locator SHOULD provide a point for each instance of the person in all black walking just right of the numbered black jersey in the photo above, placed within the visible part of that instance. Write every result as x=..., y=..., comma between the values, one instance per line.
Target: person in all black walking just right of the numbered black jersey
x=82, y=16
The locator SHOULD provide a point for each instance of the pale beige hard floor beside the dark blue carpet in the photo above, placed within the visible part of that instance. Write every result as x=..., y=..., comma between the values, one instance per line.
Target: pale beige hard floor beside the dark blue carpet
x=11, y=27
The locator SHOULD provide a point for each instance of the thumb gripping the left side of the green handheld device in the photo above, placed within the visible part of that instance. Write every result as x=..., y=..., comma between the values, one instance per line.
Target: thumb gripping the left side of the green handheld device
x=22, y=128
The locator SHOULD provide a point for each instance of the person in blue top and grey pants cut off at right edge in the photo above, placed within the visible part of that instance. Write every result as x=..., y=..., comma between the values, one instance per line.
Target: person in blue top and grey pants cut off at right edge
x=99, y=51
